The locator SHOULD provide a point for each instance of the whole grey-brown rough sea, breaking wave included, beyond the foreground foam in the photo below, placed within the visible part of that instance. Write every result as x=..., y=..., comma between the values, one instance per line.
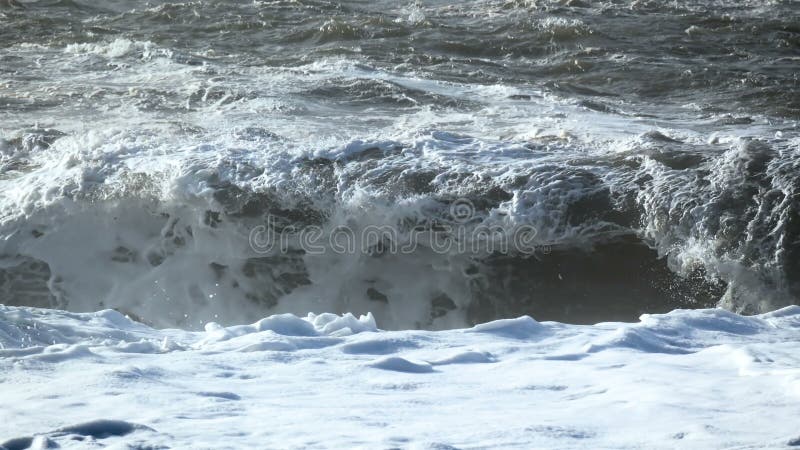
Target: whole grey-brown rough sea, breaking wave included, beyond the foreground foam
x=174, y=161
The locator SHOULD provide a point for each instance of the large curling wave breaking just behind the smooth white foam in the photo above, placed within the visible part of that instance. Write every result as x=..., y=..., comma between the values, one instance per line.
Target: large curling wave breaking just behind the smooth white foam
x=109, y=220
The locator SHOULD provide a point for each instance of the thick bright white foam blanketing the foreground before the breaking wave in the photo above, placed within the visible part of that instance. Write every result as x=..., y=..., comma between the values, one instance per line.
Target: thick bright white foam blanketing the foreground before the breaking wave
x=695, y=371
